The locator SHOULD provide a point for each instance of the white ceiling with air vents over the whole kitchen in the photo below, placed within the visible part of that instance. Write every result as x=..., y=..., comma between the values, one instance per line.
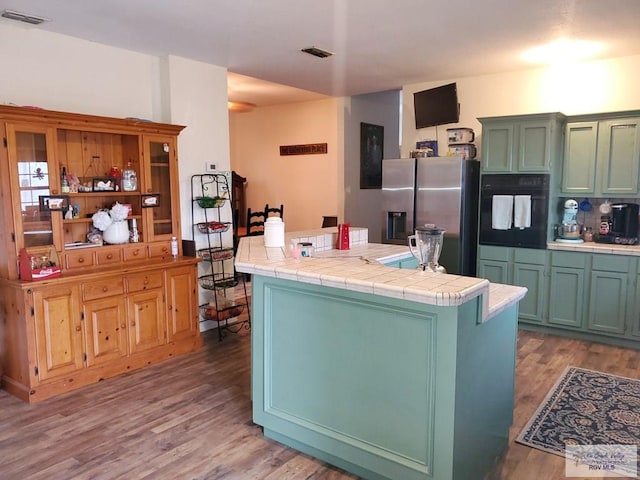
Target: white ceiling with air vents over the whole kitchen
x=378, y=44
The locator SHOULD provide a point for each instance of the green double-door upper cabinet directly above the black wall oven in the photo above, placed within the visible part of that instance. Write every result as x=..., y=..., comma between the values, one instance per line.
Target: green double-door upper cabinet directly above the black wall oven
x=521, y=144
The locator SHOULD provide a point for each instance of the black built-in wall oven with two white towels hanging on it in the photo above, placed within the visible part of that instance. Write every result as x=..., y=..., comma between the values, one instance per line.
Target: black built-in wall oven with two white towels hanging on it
x=535, y=185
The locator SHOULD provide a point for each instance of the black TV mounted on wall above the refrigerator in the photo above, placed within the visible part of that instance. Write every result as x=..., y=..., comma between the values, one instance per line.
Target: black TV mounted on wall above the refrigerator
x=436, y=106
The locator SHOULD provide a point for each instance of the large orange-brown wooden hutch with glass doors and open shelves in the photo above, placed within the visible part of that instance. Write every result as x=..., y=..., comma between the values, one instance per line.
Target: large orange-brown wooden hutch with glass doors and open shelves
x=112, y=308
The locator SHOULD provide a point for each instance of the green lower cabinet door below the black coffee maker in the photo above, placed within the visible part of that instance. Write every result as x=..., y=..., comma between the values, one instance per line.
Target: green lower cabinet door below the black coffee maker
x=608, y=302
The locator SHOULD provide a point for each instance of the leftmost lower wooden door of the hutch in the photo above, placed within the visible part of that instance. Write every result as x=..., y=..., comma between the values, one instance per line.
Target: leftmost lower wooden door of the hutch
x=58, y=328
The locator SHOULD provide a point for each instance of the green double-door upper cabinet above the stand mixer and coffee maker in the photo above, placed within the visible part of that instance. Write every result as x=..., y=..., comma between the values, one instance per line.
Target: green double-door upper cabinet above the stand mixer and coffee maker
x=601, y=157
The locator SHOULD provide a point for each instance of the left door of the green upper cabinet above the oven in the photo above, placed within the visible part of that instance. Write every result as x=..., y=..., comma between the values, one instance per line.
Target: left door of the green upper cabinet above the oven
x=497, y=147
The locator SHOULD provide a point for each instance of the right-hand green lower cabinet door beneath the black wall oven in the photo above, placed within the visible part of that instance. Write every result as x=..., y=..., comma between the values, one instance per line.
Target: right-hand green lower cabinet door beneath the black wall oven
x=533, y=305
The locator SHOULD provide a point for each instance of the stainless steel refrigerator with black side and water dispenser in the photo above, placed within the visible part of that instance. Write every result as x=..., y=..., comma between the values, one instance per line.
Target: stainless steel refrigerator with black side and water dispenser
x=443, y=191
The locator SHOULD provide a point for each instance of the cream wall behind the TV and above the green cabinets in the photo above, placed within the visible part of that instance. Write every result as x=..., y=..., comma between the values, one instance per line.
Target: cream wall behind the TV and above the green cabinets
x=589, y=87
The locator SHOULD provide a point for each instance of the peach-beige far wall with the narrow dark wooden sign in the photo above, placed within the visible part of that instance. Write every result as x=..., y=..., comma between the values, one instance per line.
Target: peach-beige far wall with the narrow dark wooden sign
x=307, y=185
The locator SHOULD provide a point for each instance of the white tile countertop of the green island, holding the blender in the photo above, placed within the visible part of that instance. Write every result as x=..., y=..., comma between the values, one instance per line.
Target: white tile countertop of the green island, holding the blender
x=361, y=269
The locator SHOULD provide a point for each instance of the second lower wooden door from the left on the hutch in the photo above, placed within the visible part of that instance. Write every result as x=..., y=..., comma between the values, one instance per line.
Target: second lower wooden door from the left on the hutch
x=106, y=329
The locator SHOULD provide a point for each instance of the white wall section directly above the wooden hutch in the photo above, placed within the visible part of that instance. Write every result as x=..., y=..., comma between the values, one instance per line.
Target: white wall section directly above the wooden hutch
x=57, y=72
